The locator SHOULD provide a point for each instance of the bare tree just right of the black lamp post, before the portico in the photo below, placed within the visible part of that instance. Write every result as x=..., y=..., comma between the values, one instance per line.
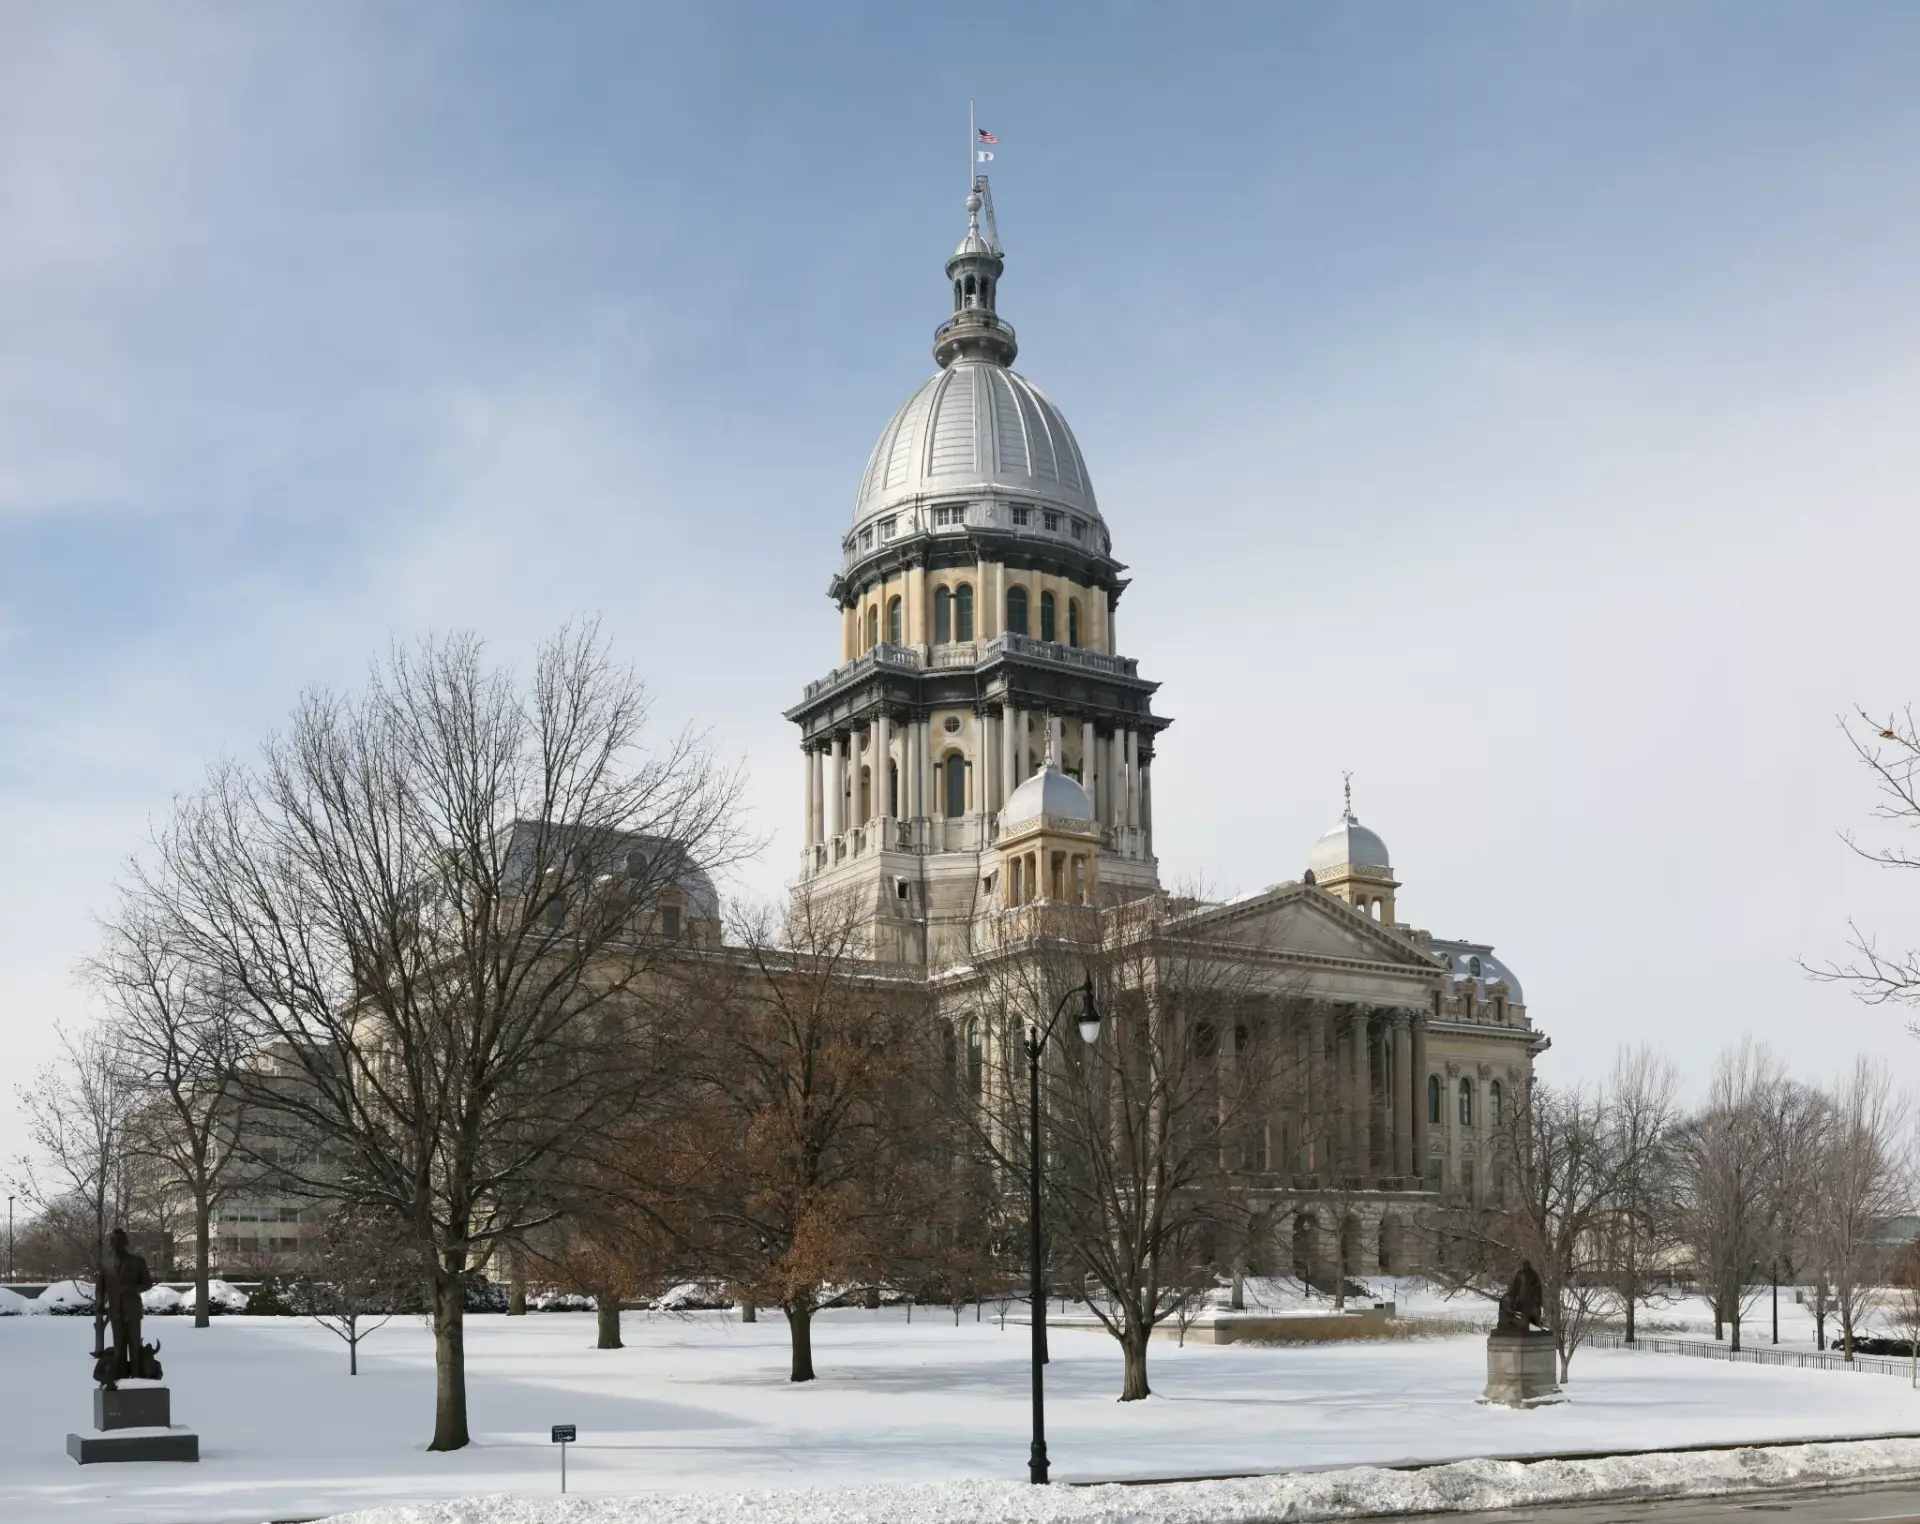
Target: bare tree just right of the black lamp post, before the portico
x=1149, y=1130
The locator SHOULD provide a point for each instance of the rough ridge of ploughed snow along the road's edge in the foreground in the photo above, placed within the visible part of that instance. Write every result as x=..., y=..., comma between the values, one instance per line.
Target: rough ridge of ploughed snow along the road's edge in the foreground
x=1303, y=1498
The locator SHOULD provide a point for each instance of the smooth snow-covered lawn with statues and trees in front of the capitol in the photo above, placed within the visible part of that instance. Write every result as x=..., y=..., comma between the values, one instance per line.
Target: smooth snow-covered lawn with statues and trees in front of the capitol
x=704, y=1404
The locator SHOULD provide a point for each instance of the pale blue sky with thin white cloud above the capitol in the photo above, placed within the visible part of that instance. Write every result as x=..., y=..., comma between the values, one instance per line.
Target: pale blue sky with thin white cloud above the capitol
x=1514, y=404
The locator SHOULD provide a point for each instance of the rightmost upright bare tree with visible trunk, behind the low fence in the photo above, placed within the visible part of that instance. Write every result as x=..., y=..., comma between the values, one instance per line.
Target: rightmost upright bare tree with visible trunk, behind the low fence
x=1861, y=1187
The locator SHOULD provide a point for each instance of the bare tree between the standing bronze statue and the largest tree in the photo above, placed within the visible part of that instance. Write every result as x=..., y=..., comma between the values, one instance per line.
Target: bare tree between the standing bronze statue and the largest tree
x=178, y=1043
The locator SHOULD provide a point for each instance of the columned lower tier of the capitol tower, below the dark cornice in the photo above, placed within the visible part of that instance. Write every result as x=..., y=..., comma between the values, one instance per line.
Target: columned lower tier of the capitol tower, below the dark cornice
x=890, y=769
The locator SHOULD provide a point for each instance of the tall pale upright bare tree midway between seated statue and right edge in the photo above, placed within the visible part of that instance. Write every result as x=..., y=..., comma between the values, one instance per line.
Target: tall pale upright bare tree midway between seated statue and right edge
x=1729, y=1174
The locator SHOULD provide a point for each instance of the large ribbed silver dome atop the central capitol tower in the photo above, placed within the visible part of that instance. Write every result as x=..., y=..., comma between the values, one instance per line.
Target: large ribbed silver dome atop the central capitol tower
x=976, y=429
